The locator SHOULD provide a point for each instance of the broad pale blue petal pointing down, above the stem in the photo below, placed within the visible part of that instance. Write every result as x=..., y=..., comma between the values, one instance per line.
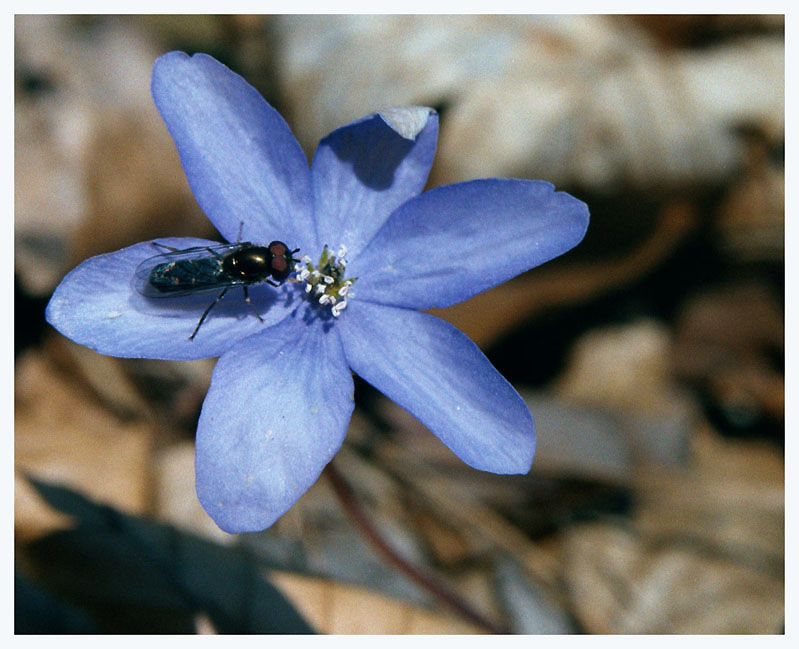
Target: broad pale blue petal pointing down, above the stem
x=275, y=415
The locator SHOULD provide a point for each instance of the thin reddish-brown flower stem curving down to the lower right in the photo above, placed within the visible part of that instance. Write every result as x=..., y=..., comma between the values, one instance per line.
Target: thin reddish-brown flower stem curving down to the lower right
x=350, y=503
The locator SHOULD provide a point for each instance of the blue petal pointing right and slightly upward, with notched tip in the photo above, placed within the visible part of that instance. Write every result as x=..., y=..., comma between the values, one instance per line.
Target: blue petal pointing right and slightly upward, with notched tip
x=455, y=241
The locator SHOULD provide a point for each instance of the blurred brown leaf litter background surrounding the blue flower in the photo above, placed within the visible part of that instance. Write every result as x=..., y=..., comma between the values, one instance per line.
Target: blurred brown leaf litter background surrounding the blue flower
x=652, y=355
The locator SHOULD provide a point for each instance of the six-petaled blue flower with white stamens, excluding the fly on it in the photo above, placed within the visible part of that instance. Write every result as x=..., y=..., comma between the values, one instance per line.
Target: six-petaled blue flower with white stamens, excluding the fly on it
x=281, y=394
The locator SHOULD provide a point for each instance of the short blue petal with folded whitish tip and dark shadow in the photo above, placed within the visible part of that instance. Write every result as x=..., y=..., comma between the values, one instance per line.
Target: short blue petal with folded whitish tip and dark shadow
x=363, y=171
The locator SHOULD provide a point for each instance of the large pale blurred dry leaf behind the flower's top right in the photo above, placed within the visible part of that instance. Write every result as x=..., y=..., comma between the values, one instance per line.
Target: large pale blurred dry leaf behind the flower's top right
x=579, y=99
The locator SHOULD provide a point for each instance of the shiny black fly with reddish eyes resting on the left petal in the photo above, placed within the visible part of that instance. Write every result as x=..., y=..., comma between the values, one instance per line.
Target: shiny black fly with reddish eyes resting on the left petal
x=179, y=272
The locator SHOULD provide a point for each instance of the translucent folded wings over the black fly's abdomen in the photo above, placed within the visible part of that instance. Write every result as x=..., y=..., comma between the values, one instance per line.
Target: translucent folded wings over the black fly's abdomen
x=185, y=272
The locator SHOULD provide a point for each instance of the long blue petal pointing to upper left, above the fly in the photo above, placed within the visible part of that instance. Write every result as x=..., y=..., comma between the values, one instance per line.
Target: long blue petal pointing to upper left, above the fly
x=242, y=161
